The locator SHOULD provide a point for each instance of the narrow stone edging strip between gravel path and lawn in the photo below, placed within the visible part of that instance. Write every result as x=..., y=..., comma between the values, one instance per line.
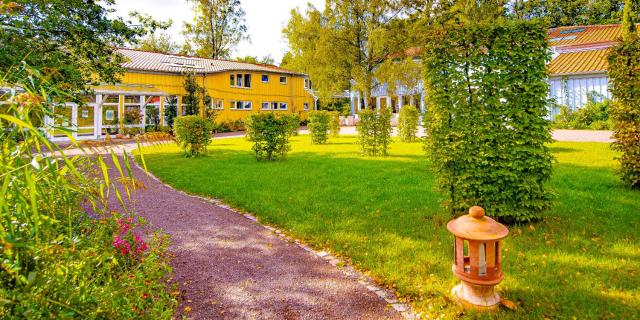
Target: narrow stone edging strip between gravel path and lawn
x=344, y=266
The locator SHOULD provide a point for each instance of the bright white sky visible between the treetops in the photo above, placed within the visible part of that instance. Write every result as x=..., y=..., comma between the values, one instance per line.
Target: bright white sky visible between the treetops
x=265, y=20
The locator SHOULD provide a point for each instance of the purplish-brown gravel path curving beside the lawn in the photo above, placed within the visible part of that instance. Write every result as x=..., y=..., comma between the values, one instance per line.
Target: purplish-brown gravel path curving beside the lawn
x=229, y=267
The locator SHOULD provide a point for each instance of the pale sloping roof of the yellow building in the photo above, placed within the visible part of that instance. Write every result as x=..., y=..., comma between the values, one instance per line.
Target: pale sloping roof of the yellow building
x=160, y=62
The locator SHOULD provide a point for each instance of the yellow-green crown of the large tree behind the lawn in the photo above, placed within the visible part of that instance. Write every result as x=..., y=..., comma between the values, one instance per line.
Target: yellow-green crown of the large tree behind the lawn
x=349, y=40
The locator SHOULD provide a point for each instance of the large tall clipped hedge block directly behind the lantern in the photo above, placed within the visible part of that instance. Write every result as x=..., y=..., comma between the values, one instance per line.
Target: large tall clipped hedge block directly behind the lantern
x=487, y=91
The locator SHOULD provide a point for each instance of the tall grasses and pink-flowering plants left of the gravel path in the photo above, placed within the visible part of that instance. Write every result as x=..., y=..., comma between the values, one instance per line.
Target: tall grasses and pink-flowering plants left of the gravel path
x=64, y=254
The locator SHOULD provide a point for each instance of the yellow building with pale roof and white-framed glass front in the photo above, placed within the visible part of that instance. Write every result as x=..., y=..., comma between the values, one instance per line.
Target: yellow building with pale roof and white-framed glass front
x=234, y=89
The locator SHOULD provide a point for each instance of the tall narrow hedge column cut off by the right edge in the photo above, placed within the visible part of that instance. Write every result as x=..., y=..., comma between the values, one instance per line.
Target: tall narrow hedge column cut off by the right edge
x=624, y=61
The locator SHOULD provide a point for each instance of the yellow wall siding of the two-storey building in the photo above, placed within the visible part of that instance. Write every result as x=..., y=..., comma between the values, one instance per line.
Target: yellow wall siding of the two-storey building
x=218, y=86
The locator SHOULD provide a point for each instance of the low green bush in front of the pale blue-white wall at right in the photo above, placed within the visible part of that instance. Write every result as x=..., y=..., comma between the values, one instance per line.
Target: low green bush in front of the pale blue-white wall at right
x=593, y=115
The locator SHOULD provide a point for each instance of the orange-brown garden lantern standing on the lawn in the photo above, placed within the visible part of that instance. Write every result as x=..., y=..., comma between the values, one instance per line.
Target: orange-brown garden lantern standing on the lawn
x=476, y=259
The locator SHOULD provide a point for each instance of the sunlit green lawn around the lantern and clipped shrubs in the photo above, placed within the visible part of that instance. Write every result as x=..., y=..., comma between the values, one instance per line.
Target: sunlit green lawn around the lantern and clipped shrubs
x=382, y=214
